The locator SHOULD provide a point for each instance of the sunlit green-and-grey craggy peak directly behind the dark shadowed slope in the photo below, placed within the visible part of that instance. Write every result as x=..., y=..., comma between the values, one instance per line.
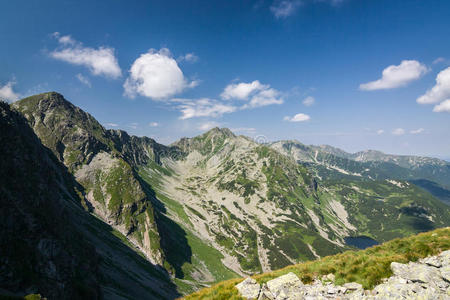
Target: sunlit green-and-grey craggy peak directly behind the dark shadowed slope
x=101, y=163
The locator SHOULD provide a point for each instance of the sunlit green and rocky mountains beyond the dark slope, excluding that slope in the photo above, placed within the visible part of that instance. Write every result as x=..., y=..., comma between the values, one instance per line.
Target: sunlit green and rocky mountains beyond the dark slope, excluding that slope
x=219, y=205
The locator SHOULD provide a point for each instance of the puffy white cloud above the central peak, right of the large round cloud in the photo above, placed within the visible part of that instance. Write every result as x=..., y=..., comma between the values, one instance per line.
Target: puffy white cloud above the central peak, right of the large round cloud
x=255, y=93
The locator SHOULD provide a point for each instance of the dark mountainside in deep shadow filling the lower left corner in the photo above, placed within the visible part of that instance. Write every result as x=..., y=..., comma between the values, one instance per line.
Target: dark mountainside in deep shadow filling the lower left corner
x=50, y=245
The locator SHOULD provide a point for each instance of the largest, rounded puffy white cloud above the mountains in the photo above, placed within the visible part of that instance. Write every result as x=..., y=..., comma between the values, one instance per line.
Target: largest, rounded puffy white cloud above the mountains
x=156, y=75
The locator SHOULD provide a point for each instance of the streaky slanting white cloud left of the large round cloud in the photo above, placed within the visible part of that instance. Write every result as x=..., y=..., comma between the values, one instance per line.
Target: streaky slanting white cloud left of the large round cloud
x=101, y=61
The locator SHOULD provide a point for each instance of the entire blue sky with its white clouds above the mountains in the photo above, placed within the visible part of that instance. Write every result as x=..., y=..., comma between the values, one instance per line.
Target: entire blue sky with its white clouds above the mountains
x=356, y=74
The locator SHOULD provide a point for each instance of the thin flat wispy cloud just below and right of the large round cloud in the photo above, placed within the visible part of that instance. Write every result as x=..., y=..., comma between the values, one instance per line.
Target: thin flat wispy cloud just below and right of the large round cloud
x=192, y=108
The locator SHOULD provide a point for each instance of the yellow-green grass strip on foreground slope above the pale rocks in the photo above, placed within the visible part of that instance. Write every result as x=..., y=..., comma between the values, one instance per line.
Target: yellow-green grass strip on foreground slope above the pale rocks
x=367, y=267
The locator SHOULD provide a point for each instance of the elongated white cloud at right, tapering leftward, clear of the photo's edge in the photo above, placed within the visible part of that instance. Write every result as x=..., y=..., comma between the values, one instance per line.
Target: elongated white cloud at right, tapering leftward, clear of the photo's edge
x=397, y=76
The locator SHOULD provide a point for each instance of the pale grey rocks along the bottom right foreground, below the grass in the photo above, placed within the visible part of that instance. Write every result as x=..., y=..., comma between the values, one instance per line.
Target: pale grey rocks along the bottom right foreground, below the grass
x=425, y=279
